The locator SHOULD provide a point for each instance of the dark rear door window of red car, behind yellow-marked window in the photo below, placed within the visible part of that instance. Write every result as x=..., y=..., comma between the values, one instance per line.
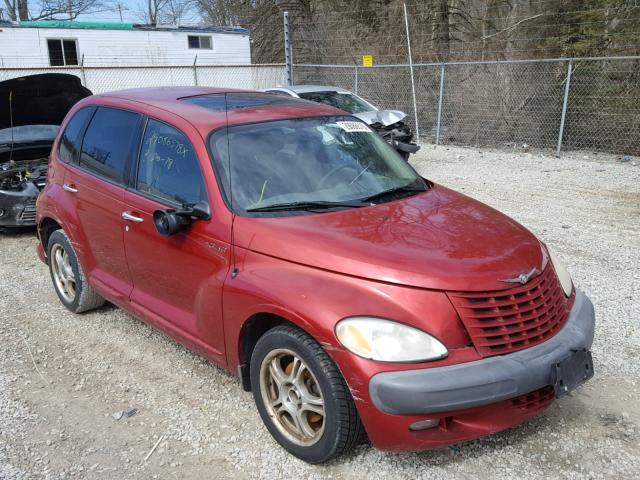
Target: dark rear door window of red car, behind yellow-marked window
x=108, y=143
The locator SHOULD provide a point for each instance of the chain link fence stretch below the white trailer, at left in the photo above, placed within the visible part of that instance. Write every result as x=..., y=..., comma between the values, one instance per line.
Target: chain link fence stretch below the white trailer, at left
x=104, y=79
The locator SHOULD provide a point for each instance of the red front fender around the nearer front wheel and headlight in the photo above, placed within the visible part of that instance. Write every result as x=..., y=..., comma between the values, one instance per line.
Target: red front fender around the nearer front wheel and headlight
x=315, y=300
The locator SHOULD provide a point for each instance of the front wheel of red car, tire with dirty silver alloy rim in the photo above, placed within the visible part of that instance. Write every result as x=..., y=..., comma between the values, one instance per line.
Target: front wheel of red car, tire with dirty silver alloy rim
x=301, y=396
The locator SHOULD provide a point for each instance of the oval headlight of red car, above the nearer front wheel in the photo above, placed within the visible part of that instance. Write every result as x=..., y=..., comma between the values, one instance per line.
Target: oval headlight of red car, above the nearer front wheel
x=388, y=341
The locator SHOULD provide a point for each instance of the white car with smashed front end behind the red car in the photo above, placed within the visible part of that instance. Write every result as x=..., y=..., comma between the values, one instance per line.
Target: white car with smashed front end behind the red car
x=389, y=124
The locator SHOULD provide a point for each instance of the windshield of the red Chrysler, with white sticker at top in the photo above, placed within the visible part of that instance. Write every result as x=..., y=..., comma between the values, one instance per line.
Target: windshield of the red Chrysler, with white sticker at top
x=320, y=159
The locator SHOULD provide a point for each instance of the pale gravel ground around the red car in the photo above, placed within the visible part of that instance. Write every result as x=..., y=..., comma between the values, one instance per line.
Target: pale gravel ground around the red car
x=64, y=376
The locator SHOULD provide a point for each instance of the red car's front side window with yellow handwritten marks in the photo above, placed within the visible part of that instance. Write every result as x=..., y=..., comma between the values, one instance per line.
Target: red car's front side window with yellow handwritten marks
x=168, y=168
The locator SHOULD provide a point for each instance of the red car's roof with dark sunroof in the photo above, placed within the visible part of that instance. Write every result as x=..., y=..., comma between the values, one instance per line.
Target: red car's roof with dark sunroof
x=204, y=107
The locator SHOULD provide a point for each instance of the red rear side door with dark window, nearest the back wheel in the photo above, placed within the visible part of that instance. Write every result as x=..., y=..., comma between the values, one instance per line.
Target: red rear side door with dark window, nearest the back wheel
x=96, y=185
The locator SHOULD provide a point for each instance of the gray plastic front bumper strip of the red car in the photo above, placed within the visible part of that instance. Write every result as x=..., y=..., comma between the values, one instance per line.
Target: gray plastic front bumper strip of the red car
x=472, y=384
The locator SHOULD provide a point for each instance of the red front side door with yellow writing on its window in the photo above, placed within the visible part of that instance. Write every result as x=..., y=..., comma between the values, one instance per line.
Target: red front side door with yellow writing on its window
x=177, y=280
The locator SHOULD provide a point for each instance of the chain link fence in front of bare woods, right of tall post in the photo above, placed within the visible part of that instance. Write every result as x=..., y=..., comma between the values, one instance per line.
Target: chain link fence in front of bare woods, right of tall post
x=506, y=103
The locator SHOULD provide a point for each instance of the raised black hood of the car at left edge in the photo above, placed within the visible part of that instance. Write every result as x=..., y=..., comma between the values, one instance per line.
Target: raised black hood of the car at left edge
x=39, y=99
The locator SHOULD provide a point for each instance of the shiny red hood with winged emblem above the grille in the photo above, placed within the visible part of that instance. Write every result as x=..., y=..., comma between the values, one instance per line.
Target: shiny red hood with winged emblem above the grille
x=439, y=239
